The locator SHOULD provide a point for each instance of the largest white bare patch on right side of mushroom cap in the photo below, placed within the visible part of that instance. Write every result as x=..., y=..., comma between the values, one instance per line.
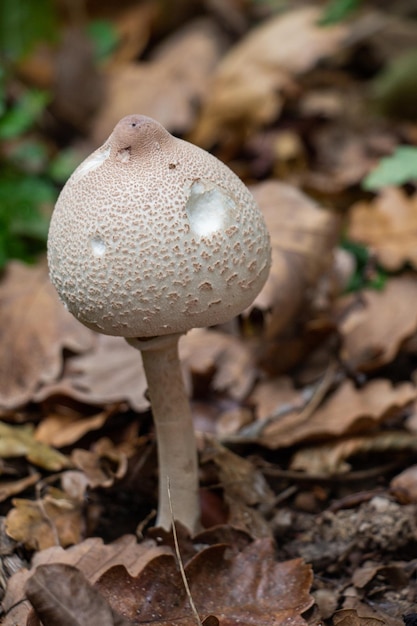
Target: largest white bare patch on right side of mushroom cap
x=209, y=209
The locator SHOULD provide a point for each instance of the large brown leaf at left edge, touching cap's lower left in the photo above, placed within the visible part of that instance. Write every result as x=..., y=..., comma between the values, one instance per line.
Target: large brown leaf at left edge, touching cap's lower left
x=35, y=328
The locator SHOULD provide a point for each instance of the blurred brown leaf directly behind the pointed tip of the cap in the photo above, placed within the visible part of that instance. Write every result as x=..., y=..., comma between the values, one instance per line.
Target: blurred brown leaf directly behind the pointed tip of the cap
x=167, y=88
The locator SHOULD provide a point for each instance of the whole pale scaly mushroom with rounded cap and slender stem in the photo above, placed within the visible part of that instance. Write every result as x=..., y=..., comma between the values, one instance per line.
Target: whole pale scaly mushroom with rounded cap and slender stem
x=152, y=236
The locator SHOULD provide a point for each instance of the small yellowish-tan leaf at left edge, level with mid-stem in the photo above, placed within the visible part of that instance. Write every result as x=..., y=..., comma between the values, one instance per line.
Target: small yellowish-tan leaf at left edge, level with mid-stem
x=18, y=441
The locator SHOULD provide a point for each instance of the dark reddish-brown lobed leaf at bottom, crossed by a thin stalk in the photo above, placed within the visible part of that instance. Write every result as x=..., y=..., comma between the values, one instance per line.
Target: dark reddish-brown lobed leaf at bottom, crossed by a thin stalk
x=263, y=593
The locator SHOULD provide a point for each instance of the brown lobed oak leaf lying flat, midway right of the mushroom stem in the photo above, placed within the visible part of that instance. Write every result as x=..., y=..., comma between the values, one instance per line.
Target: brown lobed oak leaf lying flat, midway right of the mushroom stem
x=348, y=410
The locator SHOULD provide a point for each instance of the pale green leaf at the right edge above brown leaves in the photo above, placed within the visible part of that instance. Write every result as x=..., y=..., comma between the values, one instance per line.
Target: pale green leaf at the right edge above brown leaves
x=397, y=169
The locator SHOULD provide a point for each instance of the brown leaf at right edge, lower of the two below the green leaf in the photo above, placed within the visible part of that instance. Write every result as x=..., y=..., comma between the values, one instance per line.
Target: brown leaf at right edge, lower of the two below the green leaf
x=378, y=322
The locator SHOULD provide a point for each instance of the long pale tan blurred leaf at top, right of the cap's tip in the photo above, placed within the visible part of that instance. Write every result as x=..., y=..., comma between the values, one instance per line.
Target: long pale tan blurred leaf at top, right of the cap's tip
x=252, y=80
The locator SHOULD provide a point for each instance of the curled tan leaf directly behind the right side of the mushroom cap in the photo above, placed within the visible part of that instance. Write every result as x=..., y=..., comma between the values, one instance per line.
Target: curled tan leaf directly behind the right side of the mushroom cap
x=303, y=237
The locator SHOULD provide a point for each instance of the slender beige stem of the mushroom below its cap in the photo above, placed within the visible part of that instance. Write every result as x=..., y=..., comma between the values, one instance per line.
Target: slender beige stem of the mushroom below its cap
x=177, y=450
